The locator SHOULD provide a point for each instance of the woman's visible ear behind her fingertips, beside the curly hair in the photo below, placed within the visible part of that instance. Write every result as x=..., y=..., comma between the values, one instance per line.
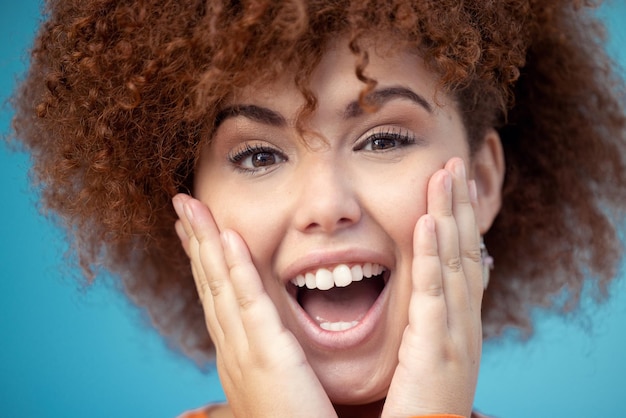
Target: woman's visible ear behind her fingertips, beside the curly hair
x=487, y=169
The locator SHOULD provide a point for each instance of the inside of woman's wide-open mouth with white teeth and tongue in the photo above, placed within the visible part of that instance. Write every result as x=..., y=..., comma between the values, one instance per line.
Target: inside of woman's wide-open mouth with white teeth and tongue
x=338, y=298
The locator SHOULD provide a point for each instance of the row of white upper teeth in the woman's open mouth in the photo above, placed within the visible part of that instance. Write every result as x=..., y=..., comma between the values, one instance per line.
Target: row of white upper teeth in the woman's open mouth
x=340, y=276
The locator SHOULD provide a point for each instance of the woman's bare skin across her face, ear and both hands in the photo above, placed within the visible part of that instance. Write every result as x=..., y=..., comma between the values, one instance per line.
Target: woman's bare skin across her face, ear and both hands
x=334, y=197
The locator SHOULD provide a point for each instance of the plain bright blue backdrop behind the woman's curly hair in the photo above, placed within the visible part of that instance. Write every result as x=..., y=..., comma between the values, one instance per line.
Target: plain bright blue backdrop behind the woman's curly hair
x=70, y=352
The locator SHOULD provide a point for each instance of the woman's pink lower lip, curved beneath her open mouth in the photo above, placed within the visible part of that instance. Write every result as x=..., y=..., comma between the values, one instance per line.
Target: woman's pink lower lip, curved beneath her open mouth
x=346, y=339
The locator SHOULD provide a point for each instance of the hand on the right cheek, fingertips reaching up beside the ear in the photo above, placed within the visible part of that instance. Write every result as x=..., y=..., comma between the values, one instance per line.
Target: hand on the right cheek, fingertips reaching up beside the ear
x=440, y=352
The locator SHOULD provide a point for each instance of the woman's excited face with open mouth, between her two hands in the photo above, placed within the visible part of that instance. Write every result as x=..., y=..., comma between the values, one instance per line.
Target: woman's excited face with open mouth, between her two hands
x=339, y=205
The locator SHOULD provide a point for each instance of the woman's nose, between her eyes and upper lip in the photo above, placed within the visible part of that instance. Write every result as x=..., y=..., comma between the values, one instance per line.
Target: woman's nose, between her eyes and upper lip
x=328, y=199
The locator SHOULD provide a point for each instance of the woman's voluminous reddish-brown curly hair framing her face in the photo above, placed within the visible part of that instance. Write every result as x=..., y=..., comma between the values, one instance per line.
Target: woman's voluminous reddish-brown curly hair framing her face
x=121, y=94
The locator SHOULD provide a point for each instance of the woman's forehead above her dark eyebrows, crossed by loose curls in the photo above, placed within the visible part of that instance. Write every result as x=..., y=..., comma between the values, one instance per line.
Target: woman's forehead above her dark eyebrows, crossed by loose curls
x=334, y=80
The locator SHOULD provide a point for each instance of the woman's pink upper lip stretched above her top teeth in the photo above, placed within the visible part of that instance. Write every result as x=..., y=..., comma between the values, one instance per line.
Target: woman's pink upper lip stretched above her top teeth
x=318, y=259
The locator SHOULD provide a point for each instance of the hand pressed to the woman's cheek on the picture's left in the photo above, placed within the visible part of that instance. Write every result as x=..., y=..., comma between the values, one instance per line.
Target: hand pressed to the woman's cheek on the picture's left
x=262, y=367
